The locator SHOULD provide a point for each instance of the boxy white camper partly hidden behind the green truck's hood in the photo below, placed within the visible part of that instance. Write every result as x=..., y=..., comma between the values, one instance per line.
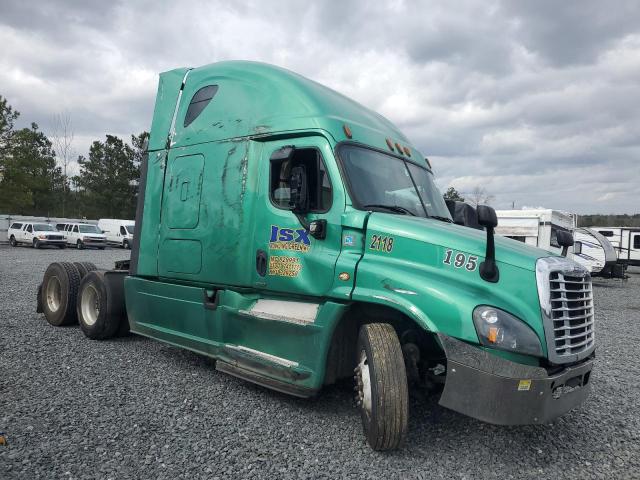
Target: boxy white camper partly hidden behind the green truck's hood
x=536, y=227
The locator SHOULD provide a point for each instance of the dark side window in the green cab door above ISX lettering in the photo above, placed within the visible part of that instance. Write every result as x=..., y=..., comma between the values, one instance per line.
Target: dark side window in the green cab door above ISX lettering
x=317, y=177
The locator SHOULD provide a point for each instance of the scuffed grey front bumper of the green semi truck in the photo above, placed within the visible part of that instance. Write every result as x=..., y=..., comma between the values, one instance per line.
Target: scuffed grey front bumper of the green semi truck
x=495, y=390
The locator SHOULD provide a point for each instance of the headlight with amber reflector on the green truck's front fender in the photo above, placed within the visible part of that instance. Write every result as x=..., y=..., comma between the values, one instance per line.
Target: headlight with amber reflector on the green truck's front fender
x=499, y=329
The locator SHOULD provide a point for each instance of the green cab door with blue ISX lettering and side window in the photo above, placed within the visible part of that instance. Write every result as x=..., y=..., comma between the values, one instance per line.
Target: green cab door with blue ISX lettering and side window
x=289, y=260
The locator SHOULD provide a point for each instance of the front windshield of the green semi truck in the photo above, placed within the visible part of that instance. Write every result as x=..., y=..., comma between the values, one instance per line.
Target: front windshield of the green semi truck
x=383, y=182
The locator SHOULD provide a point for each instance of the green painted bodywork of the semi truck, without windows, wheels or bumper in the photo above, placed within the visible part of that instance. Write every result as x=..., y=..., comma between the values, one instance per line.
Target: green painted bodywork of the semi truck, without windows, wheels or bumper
x=207, y=212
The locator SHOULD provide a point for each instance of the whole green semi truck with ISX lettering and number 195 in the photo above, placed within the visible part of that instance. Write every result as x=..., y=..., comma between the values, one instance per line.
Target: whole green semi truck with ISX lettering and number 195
x=298, y=238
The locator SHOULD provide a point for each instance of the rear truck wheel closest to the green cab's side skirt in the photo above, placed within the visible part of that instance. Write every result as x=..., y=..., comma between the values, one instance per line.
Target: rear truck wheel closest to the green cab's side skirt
x=98, y=315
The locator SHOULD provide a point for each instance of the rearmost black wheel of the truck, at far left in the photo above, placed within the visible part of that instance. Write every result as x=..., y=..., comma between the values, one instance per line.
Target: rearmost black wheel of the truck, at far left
x=59, y=293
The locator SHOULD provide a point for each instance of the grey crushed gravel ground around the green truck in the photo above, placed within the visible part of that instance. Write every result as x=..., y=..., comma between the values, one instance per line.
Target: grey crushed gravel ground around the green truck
x=135, y=408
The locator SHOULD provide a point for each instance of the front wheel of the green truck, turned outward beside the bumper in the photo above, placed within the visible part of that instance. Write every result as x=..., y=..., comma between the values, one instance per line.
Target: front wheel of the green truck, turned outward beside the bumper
x=383, y=394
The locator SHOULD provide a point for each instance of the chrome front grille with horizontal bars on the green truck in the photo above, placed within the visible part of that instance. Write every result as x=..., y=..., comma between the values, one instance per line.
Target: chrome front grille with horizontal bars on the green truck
x=571, y=313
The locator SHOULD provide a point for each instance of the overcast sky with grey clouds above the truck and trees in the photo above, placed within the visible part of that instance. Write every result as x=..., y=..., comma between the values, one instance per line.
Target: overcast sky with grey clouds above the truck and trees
x=537, y=101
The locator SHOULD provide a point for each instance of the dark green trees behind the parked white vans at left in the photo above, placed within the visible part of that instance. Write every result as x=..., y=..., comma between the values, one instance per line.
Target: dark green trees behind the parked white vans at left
x=34, y=178
